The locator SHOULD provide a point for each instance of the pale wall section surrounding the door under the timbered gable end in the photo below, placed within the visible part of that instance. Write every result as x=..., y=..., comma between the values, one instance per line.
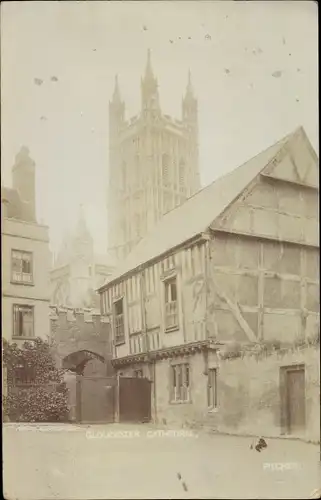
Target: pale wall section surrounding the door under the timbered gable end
x=249, y=400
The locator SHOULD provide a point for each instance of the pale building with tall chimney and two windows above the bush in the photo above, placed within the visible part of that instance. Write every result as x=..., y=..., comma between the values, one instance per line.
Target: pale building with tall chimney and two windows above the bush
x=25, y=257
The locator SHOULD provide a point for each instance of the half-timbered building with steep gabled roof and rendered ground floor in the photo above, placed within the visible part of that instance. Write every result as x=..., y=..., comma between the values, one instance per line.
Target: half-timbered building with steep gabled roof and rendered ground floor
x=237, y=264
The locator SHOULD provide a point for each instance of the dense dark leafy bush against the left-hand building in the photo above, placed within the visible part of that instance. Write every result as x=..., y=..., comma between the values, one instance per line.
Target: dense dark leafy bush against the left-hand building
x=36, y=391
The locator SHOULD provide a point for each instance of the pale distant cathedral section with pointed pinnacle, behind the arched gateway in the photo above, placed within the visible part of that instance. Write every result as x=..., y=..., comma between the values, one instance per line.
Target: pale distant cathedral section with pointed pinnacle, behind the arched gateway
x=77, y=271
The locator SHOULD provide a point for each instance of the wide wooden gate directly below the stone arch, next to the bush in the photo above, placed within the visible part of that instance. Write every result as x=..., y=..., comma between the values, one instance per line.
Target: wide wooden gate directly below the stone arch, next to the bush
x=95, y=399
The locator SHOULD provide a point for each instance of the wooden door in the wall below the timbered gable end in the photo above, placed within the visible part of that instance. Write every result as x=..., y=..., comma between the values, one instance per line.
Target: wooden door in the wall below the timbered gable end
x=294, y=399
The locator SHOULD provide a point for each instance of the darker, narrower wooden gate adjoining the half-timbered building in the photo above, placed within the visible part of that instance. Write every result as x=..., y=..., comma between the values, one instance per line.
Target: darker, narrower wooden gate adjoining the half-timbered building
x=134, y=399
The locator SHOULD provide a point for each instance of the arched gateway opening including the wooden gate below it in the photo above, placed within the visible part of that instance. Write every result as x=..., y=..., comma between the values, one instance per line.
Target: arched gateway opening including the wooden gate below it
x=91, y=392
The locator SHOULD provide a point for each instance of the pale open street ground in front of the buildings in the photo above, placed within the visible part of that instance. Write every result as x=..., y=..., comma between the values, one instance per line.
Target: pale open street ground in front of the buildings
x=127, y=461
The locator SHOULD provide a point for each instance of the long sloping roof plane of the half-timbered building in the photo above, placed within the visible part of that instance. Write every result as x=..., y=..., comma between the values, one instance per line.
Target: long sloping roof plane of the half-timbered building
x=197, y=213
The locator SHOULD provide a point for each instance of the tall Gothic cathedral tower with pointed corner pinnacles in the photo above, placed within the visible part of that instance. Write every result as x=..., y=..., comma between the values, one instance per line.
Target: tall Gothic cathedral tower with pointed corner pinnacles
x=153, y=163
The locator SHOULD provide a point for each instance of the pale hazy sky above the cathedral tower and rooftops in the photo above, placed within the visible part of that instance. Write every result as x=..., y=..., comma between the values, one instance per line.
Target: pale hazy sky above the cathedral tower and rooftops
x=254, y=69
